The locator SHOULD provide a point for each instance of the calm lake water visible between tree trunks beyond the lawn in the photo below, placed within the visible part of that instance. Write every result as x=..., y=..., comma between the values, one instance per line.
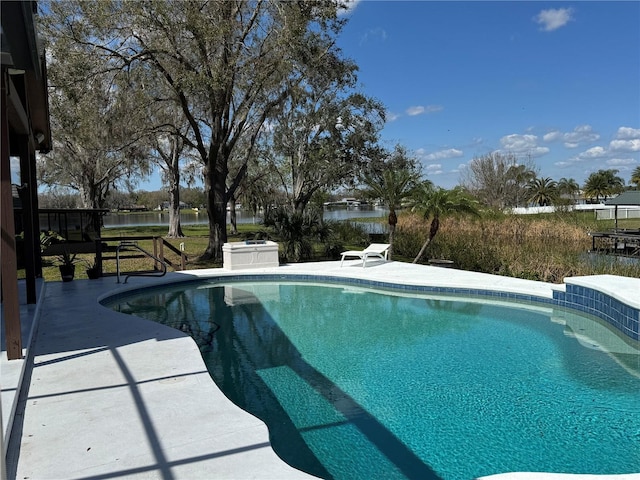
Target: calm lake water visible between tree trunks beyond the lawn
x=191, y=217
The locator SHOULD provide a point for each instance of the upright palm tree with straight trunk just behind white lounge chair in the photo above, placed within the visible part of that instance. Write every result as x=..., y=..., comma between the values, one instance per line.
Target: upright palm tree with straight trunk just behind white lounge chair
x=392, y=187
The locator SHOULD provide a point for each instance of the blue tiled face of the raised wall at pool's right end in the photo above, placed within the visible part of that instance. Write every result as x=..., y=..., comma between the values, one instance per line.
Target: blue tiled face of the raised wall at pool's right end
x=613, y=311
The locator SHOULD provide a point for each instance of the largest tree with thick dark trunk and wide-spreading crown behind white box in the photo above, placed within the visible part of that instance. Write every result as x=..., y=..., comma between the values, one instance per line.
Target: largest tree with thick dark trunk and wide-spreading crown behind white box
x=227, y=64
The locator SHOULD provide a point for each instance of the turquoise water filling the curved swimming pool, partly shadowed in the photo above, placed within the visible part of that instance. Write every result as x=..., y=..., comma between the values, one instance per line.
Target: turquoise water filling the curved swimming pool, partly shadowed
x=361, y=383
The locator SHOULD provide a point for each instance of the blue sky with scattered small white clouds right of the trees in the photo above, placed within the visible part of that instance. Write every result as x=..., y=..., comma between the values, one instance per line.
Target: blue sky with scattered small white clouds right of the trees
x=557, y=82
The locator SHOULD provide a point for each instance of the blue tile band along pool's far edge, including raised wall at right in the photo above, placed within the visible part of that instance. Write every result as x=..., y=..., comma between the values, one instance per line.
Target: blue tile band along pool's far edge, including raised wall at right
x=616, y=313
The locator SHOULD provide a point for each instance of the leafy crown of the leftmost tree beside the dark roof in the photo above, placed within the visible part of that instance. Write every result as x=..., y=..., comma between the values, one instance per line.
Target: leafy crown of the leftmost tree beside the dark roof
x=95, y=119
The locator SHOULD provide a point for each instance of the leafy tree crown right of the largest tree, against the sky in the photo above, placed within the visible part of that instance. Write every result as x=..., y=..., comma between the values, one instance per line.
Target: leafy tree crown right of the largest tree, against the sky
x=325, y=134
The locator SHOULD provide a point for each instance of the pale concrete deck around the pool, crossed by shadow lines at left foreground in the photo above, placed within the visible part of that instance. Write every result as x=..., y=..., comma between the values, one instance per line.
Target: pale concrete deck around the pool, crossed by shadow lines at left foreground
x=107, y=395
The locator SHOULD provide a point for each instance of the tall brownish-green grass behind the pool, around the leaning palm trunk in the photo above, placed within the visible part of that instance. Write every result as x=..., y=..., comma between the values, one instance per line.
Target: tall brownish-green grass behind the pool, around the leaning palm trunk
x=546, y=248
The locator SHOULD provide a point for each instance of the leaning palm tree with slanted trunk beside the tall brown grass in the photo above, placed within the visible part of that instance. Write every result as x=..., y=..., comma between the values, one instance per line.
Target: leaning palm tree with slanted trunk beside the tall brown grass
x=435, y=203
